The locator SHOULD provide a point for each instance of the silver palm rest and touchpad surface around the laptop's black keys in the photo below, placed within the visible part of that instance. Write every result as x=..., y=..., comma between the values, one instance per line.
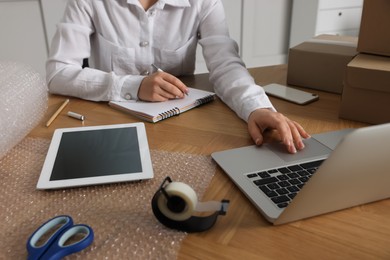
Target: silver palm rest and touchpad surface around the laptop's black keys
x=240, y=162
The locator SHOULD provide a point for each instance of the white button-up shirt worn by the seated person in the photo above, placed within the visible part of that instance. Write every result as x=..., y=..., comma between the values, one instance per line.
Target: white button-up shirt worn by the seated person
x=122, y=40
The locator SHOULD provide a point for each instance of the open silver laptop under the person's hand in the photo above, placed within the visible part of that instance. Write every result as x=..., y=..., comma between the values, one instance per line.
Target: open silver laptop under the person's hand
x=336, y=170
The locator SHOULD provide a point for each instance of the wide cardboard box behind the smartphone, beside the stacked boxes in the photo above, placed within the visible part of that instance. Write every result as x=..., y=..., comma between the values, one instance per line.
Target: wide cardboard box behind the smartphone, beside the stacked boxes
x=320, y=63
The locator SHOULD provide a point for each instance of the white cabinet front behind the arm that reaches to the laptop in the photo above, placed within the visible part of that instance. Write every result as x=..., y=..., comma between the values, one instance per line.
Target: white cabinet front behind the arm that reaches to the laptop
x=261, y=29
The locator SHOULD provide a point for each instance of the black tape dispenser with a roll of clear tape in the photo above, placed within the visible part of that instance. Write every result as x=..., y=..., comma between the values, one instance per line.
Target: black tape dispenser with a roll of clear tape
x=175, y=203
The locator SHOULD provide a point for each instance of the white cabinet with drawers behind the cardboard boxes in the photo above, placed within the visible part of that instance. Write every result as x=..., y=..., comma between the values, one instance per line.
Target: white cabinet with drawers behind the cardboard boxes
x=314, y=17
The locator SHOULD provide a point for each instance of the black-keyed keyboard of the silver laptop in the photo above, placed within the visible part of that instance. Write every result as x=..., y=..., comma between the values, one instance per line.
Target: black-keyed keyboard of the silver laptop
x=282, y=184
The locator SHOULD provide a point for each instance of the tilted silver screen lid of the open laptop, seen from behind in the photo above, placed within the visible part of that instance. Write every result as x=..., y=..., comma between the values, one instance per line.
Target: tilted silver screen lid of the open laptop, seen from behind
x=356, y=173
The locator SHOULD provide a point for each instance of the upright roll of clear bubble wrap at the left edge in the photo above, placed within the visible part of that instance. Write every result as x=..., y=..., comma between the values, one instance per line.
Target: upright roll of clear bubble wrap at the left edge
x=23, y=103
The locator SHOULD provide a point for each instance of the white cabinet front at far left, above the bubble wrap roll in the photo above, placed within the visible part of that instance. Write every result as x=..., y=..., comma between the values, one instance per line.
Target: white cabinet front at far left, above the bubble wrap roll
x=22, y=33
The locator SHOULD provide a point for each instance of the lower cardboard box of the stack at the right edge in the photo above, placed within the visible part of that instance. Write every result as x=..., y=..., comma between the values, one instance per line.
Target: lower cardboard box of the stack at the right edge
x=366, y=95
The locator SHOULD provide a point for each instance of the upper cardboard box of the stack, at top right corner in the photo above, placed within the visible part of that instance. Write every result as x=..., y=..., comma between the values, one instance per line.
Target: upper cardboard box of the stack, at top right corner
x=374, y=35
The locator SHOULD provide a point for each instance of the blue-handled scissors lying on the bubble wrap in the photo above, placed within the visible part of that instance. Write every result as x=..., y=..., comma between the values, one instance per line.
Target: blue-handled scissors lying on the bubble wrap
x=57, y=238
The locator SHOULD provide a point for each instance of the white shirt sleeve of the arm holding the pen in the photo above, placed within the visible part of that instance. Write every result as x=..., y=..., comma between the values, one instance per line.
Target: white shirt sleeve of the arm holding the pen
x=70, y=45
